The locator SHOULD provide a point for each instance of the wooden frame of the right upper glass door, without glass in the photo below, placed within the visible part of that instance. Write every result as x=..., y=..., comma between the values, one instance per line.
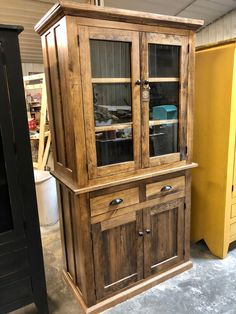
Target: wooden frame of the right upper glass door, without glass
x=165, y=39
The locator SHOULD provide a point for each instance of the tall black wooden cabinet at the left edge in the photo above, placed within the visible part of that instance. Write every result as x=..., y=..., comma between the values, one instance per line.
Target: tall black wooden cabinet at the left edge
x=22, y=279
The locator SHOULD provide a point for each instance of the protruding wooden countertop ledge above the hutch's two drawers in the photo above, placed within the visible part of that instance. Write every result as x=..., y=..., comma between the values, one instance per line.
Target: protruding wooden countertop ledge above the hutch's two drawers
x=98, y=184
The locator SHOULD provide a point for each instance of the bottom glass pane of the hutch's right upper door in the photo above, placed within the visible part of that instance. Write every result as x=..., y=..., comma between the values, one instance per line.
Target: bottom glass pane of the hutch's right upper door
x=163, y=139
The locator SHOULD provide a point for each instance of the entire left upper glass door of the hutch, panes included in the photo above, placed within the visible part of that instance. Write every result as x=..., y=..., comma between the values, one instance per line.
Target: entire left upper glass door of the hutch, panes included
x=112, y=103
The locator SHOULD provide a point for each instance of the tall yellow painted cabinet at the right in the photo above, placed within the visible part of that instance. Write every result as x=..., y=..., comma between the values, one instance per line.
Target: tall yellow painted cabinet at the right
x=214, y=181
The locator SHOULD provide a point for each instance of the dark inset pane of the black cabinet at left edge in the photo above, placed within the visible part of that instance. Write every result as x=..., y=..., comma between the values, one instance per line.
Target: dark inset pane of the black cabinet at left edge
x=6, y=223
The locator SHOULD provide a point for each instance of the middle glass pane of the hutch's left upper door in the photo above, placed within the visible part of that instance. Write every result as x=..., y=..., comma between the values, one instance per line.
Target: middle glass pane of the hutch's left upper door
x=112, y=103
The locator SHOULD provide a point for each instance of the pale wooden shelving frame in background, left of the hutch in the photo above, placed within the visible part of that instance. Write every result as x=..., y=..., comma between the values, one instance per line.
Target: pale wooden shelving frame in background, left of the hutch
x=36, y=95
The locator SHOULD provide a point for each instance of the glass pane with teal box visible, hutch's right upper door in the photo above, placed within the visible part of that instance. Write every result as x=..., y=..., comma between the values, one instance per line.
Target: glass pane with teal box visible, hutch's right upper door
x=164, y=101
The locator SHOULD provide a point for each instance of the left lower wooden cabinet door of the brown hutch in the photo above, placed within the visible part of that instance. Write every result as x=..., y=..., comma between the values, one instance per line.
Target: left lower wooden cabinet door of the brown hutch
x=118, y=253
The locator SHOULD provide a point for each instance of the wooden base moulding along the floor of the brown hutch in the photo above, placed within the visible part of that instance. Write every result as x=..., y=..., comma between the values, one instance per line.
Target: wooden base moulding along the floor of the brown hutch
x=128, y=293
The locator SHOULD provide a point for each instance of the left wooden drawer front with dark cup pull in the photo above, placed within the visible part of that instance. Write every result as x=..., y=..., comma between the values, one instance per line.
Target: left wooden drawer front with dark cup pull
x=120, y=199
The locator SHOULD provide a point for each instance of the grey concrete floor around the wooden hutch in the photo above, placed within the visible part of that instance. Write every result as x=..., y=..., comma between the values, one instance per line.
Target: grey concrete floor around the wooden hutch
x=209, y=287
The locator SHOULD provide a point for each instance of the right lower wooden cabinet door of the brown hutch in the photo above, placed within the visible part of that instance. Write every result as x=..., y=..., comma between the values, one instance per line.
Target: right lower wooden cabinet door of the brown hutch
x=164, y=236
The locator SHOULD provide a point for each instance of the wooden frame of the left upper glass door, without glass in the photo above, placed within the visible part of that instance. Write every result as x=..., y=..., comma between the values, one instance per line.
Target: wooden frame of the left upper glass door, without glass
x=86, y=33
